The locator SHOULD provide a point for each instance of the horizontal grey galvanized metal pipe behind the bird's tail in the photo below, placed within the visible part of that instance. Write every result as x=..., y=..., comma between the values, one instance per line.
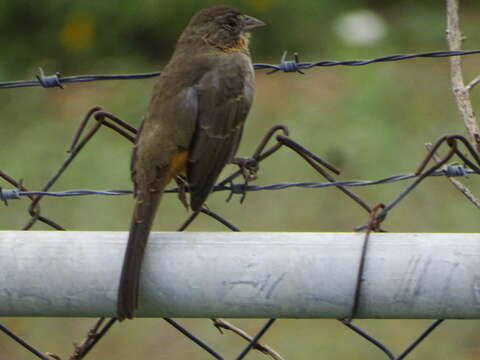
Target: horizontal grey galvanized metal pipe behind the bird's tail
x=263, y=275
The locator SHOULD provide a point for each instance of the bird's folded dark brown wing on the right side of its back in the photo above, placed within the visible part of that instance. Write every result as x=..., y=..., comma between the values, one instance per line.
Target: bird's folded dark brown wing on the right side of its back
x=224, y=99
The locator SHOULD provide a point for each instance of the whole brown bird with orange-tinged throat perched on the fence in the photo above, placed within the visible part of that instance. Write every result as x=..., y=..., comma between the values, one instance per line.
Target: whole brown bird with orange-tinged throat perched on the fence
x=193, y=125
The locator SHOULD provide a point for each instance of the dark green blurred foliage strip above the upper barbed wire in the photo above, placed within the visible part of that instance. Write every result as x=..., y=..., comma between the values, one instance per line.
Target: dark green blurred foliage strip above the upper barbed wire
x=72, y=36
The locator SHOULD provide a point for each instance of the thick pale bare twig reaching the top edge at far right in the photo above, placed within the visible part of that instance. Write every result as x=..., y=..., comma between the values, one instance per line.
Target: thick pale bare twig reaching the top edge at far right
x=461, y=93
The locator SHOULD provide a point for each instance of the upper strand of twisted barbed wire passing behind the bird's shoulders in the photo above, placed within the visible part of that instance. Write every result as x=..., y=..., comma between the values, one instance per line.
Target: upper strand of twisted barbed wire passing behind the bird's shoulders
x=57, y=80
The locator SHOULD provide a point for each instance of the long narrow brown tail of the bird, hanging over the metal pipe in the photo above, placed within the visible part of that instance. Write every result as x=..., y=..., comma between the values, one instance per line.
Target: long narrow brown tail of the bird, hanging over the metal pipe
x=143, y=216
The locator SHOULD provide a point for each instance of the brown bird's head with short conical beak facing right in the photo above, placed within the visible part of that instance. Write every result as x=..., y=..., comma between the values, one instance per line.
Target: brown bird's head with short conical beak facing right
x=223, y=27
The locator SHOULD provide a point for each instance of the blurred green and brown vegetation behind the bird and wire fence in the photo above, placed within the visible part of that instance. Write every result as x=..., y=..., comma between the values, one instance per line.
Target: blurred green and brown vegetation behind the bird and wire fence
x=369, y=121
